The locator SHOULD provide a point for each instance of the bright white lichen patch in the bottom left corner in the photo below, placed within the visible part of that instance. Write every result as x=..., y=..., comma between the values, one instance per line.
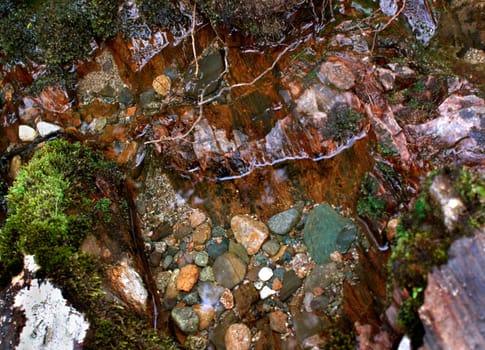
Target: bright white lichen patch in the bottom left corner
x=50, y=322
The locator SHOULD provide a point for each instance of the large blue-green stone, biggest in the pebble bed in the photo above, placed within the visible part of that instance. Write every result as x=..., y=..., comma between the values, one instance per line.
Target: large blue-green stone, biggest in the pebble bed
x=326, y=231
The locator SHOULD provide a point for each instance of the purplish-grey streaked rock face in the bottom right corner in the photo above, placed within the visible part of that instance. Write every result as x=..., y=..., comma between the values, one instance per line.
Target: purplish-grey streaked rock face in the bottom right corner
x=454, y=304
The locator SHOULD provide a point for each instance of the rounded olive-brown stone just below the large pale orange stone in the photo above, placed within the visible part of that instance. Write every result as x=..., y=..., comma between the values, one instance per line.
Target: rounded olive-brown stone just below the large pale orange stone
x=229, y=270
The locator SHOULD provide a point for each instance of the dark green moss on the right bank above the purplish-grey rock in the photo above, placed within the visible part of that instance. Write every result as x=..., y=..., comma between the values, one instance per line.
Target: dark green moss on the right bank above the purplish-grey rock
x=422, y=242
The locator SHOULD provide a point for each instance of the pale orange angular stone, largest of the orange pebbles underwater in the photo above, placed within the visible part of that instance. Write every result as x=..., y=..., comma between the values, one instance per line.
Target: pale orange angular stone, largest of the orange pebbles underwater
x=249, y=232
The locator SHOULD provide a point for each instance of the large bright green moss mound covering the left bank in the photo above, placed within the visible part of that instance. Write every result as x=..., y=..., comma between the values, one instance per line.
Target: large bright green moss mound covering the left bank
x=58, y=199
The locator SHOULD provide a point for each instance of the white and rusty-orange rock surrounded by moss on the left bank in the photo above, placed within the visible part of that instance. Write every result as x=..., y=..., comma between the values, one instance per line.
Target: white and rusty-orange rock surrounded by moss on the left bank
x=127, y=282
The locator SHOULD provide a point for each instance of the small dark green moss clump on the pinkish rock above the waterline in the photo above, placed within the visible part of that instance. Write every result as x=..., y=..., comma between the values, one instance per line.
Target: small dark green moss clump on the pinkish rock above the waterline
x=343, y=122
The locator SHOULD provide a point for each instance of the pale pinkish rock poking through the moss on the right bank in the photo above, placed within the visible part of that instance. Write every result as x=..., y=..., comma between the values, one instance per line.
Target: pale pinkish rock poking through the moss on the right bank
x=452, y=207
